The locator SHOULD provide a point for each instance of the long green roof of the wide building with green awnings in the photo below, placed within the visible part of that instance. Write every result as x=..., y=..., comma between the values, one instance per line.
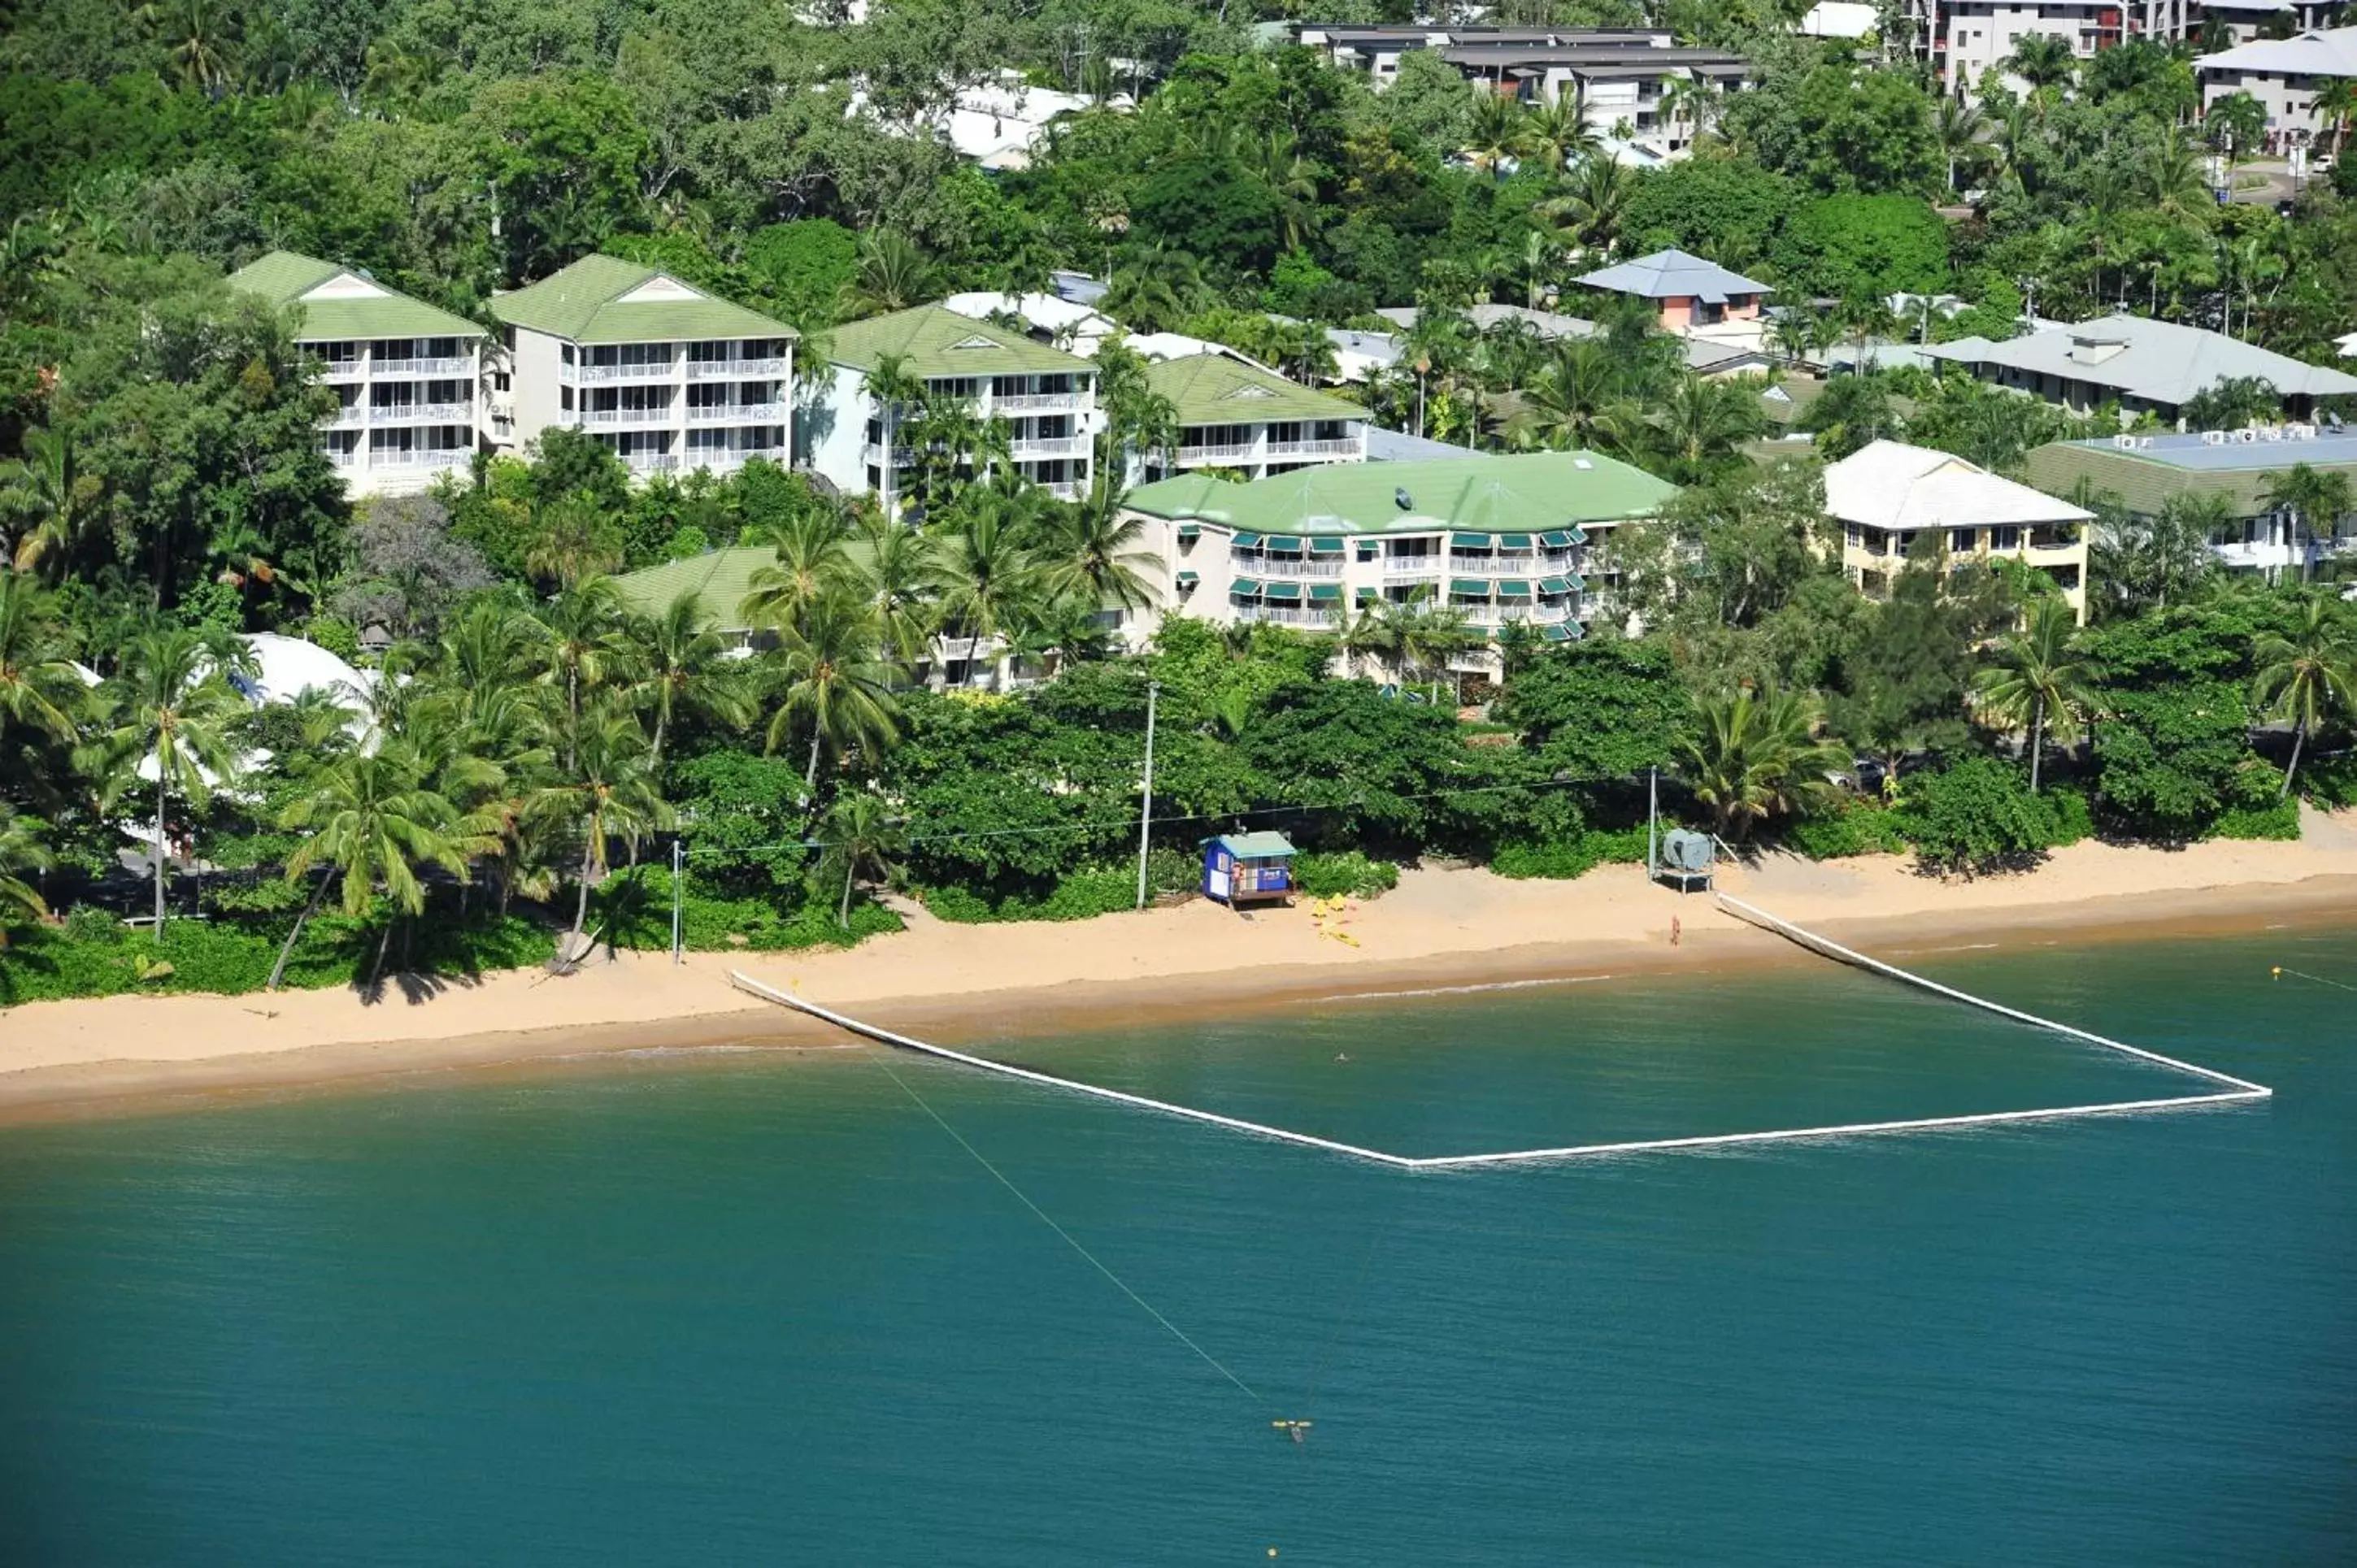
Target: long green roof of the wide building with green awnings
x=1491, y=494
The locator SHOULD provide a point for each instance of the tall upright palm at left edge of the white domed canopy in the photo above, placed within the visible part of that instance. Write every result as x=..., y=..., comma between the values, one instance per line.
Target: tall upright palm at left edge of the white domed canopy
x=169, y=706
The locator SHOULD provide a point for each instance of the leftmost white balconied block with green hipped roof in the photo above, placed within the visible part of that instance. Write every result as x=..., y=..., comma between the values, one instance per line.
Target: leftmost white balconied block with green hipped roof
x=409, y=378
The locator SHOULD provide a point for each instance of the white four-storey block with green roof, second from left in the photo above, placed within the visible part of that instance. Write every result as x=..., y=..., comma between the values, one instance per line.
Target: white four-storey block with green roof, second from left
x=659, y=371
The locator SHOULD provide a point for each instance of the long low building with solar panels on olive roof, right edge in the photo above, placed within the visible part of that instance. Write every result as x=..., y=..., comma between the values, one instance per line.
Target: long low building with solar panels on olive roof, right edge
x=2233, y=466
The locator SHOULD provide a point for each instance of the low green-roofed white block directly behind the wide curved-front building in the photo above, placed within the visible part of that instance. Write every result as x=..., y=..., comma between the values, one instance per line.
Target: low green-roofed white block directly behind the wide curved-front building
x=1239, y=416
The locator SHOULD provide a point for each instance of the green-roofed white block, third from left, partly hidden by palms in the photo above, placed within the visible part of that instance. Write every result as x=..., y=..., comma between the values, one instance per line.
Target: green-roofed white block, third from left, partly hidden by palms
x=1045, y=397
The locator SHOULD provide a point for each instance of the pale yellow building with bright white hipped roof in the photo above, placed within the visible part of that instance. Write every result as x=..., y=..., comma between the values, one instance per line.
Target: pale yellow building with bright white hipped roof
x=1889, y=496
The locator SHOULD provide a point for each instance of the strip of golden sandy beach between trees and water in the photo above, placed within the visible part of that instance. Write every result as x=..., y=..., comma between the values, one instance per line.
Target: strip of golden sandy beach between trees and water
x=1439, y=928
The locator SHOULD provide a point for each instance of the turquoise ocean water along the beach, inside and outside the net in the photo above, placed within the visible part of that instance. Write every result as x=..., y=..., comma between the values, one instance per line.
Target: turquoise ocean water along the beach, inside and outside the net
x=767, y=1312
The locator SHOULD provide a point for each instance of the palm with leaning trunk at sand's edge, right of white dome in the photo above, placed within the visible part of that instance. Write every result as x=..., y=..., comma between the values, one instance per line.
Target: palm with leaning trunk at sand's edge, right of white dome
x=374, y=822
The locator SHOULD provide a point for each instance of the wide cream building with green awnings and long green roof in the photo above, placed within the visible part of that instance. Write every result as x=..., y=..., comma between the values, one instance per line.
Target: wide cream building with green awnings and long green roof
x=1493, y=539
